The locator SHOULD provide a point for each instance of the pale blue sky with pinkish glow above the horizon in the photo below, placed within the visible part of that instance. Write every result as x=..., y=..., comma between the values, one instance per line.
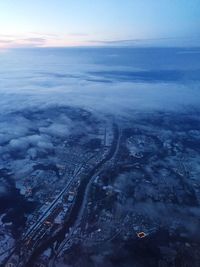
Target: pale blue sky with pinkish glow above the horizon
x=44, y=23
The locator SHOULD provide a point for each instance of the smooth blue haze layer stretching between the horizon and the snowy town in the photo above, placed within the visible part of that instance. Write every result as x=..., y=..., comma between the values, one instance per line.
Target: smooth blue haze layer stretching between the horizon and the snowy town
x=105, y=80
